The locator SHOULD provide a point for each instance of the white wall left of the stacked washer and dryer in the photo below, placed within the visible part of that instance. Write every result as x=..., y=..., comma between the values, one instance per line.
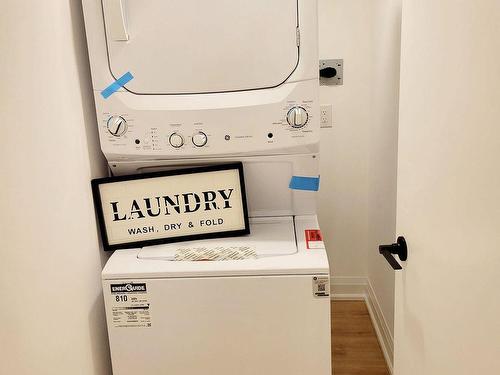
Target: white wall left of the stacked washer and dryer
x=51, y=308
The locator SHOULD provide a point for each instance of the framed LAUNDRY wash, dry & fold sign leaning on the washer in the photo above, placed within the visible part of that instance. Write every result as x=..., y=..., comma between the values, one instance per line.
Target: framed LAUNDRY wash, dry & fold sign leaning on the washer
x=177, y=205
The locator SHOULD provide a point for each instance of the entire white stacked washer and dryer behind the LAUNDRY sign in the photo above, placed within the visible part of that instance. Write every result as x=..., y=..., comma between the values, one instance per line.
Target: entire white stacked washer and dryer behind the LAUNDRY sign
x=216, y=82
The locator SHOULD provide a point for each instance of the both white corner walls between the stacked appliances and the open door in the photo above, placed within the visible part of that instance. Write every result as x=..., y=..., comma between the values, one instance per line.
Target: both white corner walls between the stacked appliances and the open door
x=359, y=155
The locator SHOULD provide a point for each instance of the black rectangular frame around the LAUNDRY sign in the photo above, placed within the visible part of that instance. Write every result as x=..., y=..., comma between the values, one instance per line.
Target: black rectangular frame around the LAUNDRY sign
x=96, y=183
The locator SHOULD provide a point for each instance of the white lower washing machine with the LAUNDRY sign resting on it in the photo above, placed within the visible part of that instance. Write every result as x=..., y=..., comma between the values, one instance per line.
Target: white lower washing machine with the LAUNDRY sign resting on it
x=269, y=315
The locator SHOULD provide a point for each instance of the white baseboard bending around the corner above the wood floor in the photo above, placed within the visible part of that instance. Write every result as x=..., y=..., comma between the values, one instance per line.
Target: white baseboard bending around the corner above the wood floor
x=360, y=288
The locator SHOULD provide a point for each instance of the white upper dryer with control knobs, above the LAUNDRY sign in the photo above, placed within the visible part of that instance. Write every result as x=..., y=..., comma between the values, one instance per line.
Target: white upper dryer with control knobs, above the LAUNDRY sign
x=210, y=78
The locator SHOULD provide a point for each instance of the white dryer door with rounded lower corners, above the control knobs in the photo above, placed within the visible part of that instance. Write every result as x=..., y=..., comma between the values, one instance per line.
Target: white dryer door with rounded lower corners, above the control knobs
x=199, y=46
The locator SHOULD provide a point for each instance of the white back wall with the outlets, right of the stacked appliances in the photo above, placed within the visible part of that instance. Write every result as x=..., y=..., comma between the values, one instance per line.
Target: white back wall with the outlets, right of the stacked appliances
x=344, y=32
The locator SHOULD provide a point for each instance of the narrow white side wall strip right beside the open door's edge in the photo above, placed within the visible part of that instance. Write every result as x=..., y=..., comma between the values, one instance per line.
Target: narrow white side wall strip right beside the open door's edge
x=382, y=184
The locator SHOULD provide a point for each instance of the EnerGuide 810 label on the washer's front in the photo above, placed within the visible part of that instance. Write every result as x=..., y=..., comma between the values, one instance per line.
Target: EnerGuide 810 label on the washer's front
x=130, y=307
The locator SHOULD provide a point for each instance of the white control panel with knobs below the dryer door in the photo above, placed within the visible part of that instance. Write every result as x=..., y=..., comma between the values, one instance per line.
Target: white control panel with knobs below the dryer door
x=276, y=127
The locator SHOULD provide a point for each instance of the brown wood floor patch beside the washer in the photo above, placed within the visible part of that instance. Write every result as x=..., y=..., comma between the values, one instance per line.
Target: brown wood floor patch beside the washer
x=355, y=348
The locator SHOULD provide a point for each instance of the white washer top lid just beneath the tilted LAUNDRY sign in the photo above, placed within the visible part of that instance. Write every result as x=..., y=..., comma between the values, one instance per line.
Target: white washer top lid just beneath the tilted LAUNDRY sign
x=272, y=236
